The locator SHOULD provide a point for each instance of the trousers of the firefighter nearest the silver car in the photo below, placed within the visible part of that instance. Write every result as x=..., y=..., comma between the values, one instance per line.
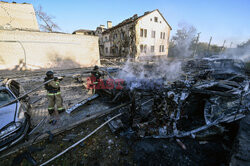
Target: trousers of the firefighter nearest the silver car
x=55, y=99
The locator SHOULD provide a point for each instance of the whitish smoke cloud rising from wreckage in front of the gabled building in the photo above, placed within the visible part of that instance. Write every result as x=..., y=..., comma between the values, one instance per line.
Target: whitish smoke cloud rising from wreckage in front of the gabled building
x=150, y=73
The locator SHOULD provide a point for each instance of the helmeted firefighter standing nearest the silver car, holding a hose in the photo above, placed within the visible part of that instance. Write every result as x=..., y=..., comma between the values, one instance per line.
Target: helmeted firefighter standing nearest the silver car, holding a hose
x=54, y=93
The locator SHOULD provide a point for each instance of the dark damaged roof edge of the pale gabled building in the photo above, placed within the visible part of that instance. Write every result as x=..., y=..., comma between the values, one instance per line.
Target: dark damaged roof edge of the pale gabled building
x=133, y=19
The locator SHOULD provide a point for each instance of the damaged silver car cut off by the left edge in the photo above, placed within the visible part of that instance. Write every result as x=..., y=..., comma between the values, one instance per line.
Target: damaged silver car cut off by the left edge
x=14, y=116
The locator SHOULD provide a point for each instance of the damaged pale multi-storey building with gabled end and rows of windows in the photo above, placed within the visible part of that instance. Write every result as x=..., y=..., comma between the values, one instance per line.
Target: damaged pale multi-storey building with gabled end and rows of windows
x=136, y=36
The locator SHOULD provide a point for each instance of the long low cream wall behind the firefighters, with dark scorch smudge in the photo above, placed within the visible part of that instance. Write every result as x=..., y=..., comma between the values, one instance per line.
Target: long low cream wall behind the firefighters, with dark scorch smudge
x=47, y=50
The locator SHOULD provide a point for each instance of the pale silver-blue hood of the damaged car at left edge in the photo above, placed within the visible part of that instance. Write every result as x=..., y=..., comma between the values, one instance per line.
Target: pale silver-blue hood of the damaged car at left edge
x=7, y=114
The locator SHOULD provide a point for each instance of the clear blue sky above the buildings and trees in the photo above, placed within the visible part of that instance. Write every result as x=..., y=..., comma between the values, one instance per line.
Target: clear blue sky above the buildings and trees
x=222, y=19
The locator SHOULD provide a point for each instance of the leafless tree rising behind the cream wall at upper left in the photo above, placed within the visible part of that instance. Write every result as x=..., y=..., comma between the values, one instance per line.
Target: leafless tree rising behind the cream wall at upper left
x=46, y=22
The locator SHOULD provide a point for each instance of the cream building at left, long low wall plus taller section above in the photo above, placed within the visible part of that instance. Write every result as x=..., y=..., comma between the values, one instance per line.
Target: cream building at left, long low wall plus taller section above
x=22, y=43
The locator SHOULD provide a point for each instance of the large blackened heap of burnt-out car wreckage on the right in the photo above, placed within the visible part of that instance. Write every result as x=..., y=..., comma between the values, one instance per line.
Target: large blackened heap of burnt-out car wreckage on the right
x=209, y=94
